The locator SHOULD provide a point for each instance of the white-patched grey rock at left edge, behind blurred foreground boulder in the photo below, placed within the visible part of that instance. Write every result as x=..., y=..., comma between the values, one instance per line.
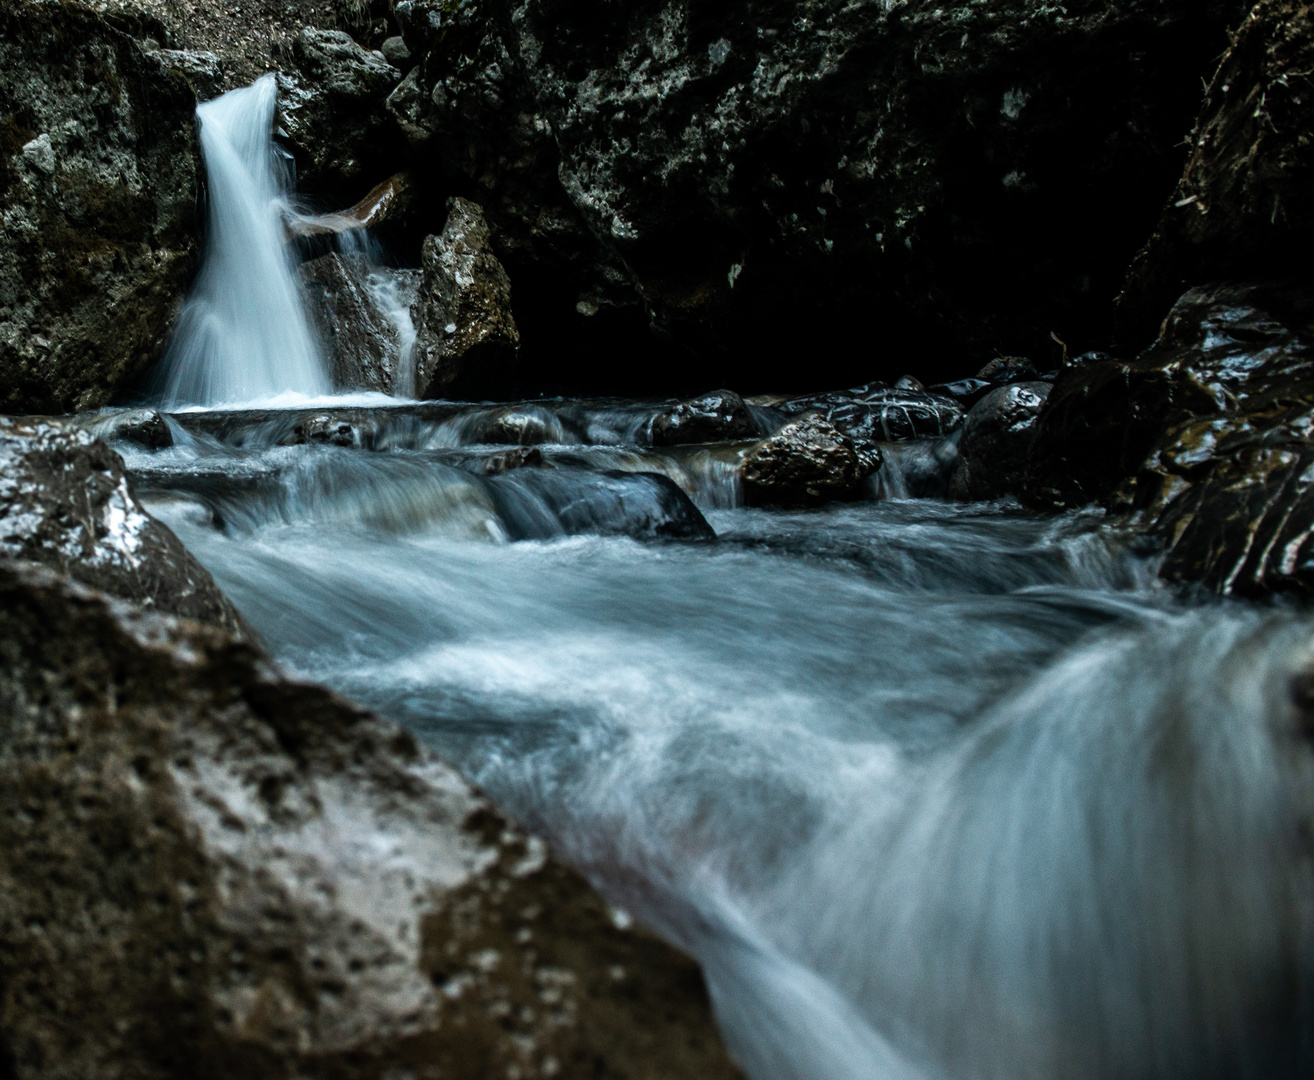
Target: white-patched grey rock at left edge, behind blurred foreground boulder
x=65, y=503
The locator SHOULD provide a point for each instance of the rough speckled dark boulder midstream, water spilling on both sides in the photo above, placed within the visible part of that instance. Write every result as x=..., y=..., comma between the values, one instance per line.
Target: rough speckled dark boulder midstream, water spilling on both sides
x=806, y=463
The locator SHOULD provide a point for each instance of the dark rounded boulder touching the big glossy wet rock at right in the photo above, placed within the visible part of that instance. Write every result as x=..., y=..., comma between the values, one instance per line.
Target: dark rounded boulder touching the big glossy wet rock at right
x=995, y=446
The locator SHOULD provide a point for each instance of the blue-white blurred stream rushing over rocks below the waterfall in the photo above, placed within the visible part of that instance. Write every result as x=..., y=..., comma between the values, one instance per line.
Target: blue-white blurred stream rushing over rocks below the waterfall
x=934, y=792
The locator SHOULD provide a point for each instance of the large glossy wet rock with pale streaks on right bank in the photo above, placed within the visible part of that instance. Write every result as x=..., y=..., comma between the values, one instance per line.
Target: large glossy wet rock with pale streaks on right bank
x=1206, y=439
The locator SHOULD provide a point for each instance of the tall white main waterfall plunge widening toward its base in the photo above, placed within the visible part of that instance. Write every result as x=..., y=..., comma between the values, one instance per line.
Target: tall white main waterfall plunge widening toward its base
x=244, y=333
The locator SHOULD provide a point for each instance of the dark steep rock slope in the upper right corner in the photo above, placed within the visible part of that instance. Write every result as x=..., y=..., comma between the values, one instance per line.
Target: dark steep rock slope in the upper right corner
x=1242, y=210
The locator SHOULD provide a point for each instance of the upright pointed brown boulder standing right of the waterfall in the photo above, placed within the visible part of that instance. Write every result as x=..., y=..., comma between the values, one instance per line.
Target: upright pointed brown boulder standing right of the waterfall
x=467, y=342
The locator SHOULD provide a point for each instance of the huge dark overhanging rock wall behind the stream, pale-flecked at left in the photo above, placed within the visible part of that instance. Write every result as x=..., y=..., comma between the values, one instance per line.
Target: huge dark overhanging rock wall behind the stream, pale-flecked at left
x=755, y=174
